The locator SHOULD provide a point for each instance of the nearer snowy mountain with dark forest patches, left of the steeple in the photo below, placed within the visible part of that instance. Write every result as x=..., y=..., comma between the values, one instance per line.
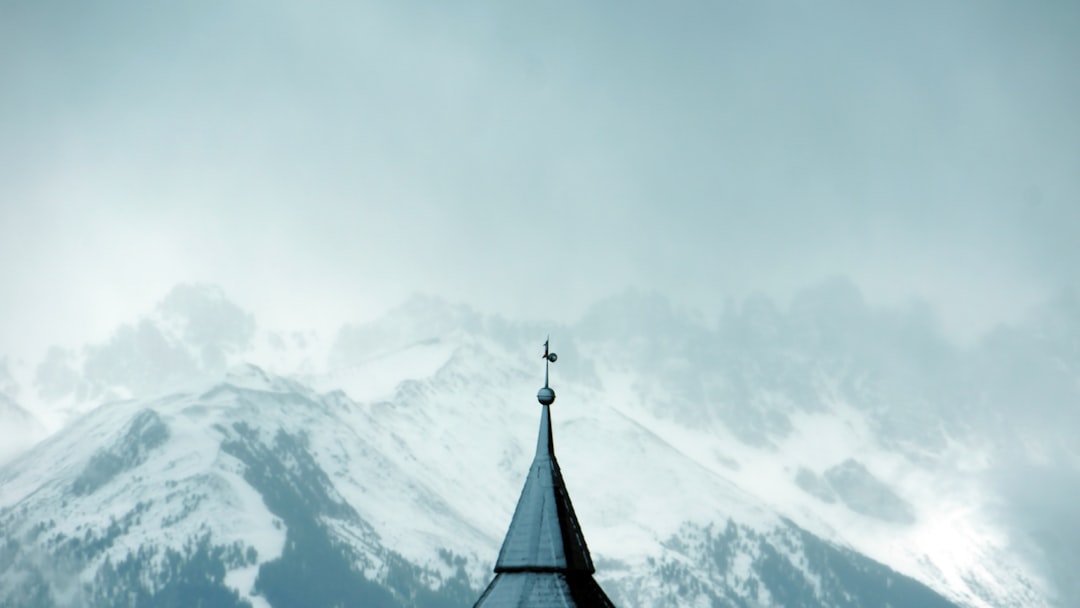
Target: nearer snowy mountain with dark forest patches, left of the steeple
x=307, y=509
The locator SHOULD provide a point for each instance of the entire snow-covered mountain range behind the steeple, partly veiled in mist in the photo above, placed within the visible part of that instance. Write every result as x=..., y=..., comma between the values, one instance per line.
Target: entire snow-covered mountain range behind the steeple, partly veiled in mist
x=828, y=455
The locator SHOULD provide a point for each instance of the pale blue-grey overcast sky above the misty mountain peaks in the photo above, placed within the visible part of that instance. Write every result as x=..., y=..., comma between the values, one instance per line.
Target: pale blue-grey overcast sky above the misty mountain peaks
x=323, y=160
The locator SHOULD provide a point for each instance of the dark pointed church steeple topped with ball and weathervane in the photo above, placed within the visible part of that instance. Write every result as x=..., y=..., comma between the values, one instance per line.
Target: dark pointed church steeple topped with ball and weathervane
x=545, y=560
